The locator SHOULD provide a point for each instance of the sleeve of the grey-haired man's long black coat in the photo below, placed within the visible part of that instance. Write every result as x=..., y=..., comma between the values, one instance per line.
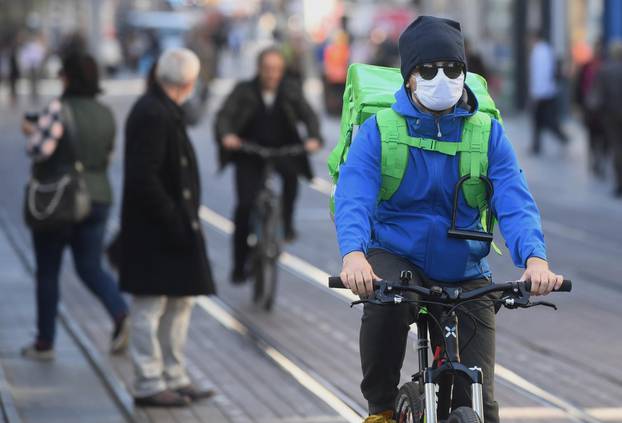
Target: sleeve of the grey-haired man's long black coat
x=146, y=150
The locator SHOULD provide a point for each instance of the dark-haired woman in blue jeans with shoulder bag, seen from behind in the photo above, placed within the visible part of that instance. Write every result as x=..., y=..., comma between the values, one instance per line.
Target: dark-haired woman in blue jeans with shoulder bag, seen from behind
x=52, y=142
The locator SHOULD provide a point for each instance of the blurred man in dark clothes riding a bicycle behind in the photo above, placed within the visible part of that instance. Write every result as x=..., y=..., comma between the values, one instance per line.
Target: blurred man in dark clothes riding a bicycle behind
x=265, y=110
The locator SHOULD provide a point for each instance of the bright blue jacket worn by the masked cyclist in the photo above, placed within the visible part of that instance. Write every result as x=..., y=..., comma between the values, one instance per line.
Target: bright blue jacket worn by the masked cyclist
x=414, y=222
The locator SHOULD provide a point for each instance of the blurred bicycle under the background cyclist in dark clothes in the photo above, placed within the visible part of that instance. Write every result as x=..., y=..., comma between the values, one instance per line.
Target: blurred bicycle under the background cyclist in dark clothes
x=267, y=223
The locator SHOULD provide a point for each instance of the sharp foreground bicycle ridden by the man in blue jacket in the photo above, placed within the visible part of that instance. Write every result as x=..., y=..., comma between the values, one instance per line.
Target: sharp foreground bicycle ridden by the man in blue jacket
x=417, y=401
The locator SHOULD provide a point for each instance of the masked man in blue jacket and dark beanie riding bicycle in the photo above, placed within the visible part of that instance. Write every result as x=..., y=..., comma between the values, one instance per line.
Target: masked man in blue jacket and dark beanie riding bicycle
x=409, y=231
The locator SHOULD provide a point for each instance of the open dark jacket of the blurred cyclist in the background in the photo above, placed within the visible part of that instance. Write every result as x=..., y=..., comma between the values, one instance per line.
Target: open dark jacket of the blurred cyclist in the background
x=245, y=102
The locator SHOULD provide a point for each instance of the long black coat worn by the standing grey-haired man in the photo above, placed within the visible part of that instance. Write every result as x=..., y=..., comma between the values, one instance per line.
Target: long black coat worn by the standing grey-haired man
x=163, y=249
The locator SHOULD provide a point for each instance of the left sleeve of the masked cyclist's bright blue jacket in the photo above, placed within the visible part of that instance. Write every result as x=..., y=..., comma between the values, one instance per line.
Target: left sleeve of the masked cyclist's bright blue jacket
x=357, y=190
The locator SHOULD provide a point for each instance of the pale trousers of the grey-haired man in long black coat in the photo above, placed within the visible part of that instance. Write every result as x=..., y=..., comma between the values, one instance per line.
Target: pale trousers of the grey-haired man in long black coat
x=159, y=327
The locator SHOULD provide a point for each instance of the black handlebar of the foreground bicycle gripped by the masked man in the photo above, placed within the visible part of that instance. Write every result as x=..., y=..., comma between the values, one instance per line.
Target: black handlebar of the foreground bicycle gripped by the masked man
x=451, y=295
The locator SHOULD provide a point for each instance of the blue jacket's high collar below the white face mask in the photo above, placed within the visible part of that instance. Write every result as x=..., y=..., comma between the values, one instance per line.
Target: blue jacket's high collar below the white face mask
x=425, y=125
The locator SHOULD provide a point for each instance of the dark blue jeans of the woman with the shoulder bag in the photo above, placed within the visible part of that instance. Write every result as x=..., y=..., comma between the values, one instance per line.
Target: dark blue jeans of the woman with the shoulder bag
x=86, y=242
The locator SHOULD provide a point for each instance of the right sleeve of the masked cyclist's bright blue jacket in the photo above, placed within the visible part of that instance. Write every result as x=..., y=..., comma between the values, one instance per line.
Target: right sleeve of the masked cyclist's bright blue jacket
x=513, y=204
